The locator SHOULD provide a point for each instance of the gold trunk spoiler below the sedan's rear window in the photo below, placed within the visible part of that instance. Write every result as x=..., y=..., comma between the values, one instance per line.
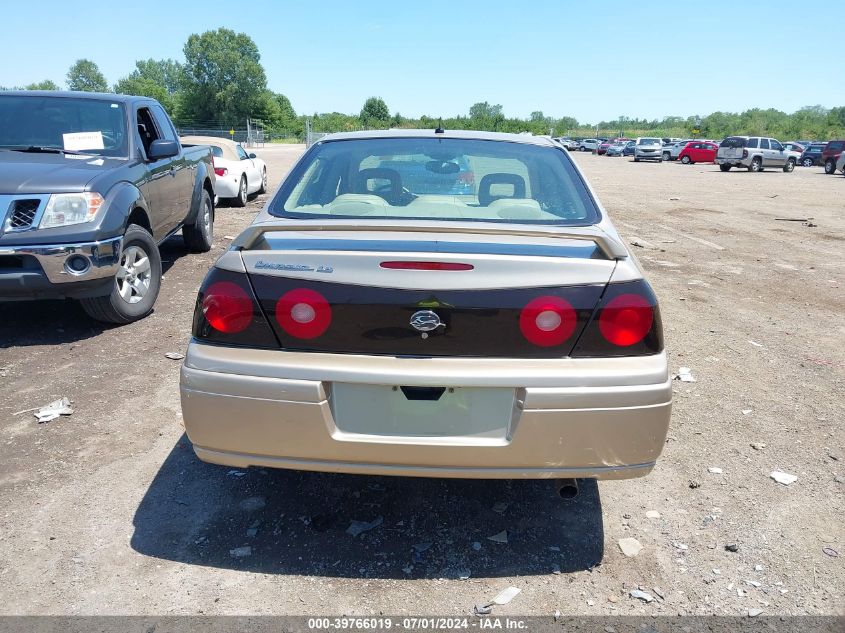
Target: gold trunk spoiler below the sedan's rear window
x=611, y=247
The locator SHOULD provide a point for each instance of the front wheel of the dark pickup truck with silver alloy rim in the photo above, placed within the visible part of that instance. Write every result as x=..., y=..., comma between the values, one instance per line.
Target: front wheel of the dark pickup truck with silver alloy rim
x=136, y=283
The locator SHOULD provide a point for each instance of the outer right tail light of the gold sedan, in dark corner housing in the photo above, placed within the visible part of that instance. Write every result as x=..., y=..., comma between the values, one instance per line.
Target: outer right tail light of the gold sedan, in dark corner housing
x=625, y=323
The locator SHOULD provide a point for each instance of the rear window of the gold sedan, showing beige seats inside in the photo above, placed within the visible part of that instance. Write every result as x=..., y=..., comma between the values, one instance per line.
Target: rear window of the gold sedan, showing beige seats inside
x=436, y=179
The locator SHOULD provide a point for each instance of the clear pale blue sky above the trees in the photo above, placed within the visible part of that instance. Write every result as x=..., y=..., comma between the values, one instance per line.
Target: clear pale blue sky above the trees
x=591, y=60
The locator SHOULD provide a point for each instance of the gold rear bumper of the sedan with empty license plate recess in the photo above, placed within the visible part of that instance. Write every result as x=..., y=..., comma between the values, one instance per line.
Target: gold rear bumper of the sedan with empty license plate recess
x=597, y=418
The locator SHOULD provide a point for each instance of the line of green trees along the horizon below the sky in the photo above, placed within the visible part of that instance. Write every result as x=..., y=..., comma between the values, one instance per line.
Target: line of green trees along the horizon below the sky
x=221, y=83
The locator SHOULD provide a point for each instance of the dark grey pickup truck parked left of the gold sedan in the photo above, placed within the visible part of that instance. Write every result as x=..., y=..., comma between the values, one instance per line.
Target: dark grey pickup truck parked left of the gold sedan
x=90, y=184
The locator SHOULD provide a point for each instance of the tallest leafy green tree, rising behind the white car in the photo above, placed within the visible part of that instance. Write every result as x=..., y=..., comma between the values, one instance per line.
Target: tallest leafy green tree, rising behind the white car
x=224, y=80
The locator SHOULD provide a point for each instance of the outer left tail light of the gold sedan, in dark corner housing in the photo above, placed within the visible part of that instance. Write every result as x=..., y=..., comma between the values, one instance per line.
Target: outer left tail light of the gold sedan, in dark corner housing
x=227, y=312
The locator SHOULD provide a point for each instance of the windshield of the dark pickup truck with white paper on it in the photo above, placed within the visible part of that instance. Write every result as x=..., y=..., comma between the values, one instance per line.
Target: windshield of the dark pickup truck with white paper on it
x=91, y=126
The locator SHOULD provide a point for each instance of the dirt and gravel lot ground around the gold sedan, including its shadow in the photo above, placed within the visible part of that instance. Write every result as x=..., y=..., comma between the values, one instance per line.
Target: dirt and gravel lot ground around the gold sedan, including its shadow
x=108, y=511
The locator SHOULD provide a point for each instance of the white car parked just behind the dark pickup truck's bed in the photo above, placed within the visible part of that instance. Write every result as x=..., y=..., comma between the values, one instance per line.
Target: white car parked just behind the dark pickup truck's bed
x=239, y=174
